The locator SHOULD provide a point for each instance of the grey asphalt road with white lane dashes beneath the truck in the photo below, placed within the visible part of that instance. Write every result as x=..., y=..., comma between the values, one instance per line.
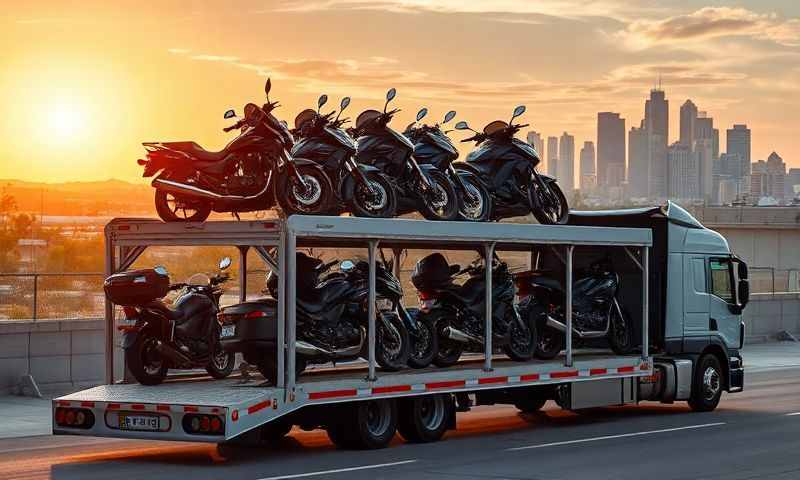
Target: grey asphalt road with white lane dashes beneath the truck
x=754, y=434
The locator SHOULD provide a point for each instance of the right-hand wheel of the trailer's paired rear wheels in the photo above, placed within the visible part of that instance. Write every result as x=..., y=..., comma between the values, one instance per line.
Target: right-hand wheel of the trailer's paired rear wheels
x=424, y=419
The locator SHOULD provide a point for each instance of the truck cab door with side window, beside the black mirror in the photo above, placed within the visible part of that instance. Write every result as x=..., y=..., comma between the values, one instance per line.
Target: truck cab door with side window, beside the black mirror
x=722, y=301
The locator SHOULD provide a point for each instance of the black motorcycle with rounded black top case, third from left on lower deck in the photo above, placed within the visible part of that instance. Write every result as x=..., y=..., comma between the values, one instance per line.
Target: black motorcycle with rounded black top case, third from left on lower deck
x=458, y=311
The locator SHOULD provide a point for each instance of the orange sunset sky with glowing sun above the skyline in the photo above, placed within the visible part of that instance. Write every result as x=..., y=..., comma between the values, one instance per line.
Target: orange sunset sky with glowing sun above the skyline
x=83, y=83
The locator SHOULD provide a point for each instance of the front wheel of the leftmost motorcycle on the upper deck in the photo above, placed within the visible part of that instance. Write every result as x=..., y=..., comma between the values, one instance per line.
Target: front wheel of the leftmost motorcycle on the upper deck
x=312, y=197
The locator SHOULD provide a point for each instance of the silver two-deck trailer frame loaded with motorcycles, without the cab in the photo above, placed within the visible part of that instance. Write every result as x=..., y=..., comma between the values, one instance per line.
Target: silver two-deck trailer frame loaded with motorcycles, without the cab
x=363, y=406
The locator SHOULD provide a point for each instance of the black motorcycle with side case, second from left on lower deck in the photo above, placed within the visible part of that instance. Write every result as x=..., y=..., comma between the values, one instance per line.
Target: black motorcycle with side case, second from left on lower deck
x=331, y=315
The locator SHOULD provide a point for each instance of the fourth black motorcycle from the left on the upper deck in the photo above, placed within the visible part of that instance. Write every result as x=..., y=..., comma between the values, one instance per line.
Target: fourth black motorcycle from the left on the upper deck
x=432, y=146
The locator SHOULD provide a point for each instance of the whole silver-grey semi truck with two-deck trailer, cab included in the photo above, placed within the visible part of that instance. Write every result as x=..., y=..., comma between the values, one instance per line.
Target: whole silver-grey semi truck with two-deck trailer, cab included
x=684, y=292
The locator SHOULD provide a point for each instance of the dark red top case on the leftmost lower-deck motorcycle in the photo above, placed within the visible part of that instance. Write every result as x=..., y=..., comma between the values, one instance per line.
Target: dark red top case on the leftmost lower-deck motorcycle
x=136, y=287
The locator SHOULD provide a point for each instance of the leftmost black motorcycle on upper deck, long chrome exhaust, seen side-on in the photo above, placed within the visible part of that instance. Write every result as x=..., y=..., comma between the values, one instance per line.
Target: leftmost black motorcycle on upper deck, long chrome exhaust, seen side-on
x=247, y=175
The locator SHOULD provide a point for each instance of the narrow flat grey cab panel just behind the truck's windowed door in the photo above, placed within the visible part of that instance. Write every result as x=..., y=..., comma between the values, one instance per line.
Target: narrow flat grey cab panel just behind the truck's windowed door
x=696, y=301
